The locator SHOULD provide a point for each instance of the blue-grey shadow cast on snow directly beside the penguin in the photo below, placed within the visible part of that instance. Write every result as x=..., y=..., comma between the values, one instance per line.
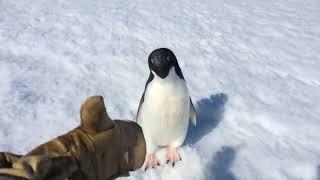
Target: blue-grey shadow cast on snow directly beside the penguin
x=209, y=114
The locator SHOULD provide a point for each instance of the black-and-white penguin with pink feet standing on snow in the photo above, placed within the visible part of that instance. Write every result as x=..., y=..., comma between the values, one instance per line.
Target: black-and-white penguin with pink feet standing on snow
x=165, y=108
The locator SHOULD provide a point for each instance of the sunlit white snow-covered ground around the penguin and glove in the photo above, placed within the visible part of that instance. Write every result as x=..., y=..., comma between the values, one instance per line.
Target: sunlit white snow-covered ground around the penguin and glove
x=253, y=70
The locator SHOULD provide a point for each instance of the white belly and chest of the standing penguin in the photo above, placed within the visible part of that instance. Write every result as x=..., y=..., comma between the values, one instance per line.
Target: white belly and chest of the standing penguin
x=164, y=114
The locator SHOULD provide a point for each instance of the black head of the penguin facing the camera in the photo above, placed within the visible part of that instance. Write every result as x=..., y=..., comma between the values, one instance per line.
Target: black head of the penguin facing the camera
x=161, y=61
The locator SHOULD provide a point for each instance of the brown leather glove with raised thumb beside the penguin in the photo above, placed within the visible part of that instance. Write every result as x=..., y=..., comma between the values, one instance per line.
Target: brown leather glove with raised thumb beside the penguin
x=98, y=149
